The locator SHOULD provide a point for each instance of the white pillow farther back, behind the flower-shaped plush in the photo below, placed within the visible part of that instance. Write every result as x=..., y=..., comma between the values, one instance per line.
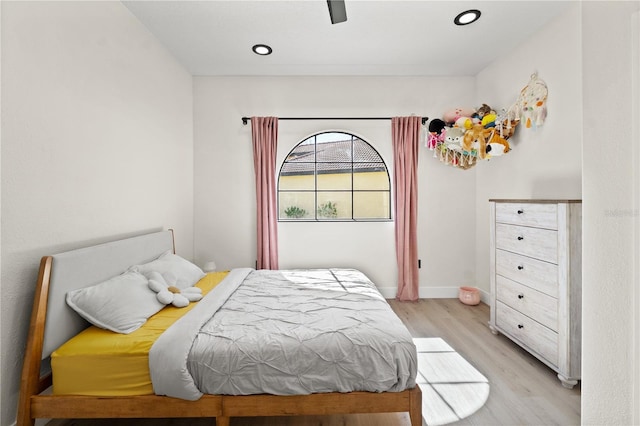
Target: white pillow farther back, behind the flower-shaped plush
x=175, y=270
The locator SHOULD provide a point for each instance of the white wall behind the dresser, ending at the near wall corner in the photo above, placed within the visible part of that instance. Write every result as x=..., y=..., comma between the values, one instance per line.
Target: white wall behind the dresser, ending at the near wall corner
x=545, y=162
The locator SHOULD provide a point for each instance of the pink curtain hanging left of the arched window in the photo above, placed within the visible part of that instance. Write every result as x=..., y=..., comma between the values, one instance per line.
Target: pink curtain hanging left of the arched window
x=264, y=132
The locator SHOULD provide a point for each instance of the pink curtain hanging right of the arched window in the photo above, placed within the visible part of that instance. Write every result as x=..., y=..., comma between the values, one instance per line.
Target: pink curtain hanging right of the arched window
x=405, y=138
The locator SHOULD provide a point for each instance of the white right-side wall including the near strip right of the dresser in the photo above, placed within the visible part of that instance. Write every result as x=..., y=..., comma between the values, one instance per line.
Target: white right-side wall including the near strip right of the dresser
x=585, y=58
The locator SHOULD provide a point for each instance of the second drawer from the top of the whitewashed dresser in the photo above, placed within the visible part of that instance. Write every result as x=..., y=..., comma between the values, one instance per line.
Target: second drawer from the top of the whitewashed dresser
x=533, y=242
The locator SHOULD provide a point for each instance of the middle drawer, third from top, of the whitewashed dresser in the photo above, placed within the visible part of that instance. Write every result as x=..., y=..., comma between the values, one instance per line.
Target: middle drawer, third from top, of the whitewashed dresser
x=539, y=275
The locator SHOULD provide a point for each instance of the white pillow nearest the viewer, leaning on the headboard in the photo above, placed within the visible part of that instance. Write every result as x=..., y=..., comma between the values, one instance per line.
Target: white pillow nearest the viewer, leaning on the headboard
x=121, y=304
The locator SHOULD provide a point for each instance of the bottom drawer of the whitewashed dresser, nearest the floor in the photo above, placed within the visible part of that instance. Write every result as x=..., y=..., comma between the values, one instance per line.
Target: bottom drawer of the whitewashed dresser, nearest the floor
x=532, y=334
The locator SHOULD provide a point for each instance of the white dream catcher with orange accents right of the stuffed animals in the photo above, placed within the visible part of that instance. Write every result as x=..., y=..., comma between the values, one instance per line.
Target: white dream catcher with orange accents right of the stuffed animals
x=531, y=105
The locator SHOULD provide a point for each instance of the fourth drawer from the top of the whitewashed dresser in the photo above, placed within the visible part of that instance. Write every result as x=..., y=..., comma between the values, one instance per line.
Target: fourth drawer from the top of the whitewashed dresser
x=532, y=303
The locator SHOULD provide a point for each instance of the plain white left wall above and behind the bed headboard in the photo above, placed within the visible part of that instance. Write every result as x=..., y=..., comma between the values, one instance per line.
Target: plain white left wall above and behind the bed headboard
x=97, y=144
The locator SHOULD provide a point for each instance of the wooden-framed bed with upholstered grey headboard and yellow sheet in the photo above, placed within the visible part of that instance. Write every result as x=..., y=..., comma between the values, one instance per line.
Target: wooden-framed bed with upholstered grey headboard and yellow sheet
x=54, y=324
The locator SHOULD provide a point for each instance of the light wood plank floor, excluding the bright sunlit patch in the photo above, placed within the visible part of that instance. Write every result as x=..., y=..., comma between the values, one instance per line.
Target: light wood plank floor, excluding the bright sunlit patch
x=523, y=390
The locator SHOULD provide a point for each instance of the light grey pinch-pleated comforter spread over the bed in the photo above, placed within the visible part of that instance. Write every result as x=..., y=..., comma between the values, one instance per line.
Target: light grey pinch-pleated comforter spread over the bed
x=284, y=333
